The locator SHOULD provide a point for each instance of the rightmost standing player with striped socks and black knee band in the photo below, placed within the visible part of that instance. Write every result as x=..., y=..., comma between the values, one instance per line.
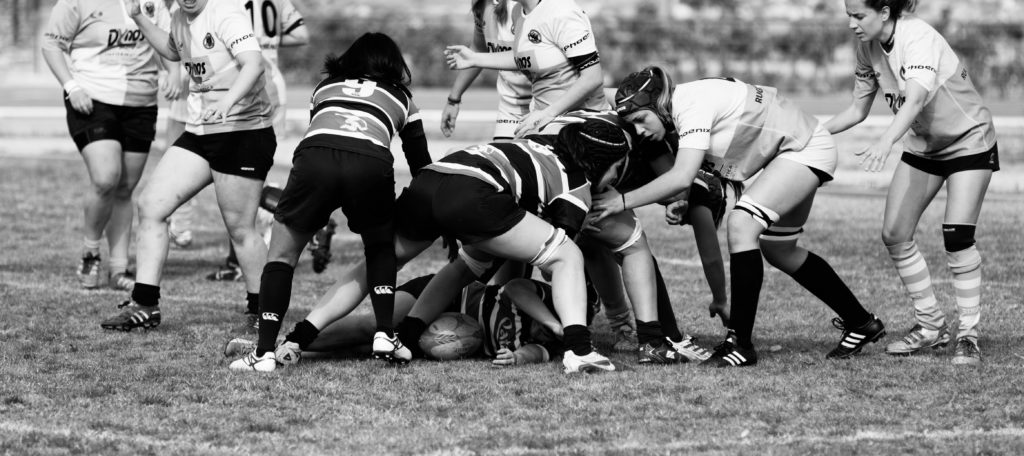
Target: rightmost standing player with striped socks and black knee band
x=949, y=138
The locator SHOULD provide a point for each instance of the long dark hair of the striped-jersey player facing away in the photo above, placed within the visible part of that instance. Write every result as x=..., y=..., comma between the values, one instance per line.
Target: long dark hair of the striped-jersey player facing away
x=373, y=56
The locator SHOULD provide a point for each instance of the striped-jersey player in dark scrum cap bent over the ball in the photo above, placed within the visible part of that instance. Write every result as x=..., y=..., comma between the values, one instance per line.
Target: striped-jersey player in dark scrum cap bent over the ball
x=492, y=197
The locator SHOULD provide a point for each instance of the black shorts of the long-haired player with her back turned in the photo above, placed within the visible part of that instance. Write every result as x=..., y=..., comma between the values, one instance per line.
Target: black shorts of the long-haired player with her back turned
x=324, y=180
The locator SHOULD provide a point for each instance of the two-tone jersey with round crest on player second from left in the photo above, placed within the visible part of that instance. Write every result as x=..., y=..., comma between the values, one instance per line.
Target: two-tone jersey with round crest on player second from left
x=207, y=47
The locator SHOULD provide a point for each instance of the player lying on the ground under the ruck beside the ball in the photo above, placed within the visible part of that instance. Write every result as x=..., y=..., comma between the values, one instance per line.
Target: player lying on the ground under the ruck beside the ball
x=519, y=322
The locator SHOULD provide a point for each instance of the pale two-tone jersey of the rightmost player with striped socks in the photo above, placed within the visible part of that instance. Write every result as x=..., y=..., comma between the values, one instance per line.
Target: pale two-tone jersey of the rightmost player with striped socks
x=954, y=121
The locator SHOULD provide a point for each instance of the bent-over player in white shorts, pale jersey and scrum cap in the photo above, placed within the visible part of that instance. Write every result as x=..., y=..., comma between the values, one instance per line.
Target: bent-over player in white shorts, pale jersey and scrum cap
x=743, y=130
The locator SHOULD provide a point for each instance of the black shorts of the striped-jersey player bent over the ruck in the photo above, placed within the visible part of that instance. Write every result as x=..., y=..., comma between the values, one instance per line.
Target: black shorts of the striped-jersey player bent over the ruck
x=466, y=208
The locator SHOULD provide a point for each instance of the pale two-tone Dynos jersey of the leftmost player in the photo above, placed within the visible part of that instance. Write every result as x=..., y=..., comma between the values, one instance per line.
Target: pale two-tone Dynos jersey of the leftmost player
x=110, y=58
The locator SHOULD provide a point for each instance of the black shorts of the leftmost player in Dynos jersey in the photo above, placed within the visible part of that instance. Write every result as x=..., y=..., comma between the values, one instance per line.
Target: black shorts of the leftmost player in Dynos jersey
x=135, y=128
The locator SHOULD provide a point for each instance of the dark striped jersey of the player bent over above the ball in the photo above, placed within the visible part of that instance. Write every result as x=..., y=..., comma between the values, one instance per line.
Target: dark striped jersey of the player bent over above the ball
x=531, y=172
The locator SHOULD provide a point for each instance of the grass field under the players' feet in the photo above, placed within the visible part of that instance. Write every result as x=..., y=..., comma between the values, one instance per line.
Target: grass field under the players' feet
x=69, y=388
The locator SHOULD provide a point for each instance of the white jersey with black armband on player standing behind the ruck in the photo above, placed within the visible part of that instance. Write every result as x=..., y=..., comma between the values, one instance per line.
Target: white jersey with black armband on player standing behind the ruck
x=546, y=43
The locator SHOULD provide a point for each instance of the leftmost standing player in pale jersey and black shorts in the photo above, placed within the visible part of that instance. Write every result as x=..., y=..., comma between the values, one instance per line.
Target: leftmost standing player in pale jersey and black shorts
x=111, y=99
